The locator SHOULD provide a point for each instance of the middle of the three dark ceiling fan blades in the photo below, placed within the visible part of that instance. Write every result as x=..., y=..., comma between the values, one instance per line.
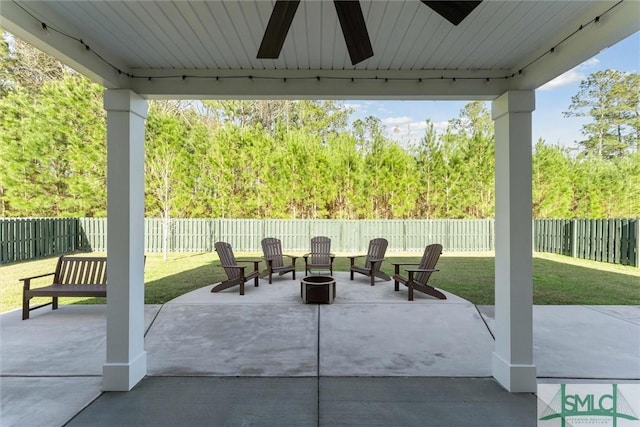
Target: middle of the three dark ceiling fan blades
x=354, y=30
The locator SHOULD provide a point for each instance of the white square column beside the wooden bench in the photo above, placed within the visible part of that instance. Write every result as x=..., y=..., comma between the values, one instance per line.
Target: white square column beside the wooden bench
x=126, y=362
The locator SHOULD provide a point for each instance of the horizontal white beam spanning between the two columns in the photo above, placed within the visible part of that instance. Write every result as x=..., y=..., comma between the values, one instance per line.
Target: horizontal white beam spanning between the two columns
x=320, y=84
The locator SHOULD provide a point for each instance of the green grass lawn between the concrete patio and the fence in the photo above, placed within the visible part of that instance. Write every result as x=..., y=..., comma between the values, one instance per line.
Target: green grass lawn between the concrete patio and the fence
x=556, y=279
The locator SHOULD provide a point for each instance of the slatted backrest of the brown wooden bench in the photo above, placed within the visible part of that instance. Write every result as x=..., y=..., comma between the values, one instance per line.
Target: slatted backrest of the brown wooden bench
x=74, y=270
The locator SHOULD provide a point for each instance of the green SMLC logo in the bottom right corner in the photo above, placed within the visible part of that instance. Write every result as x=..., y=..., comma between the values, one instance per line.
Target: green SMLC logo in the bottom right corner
x=613, y=406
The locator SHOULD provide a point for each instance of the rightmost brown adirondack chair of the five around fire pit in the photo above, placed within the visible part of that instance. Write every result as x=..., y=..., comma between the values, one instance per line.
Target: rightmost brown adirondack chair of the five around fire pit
x=418, y=277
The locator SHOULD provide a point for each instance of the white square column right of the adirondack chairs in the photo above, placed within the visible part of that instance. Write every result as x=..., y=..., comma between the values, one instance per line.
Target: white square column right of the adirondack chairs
x=512, y=364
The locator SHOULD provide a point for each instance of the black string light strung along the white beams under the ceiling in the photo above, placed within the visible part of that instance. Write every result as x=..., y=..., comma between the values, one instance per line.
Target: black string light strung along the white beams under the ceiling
x=46, y=28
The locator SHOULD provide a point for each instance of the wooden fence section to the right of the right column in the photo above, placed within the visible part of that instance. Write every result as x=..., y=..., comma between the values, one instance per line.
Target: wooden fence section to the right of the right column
x=607, y=240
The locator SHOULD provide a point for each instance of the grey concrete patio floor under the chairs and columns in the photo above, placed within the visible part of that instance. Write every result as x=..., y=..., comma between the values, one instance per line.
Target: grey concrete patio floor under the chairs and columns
x=371, y=358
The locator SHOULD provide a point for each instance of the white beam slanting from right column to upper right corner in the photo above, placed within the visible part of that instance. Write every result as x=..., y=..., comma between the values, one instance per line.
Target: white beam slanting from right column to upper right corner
x=617, y=24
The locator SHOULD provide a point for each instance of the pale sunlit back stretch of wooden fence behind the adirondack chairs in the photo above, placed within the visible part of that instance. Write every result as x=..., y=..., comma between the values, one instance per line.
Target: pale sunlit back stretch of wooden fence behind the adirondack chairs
x=198, y=235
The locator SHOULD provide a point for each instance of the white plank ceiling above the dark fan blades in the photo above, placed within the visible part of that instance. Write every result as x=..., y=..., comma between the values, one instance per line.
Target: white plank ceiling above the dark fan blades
x=225, y=35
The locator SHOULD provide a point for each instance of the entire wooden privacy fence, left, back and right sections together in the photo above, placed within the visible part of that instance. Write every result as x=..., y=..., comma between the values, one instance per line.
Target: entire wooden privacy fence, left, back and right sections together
x=607, y=240
